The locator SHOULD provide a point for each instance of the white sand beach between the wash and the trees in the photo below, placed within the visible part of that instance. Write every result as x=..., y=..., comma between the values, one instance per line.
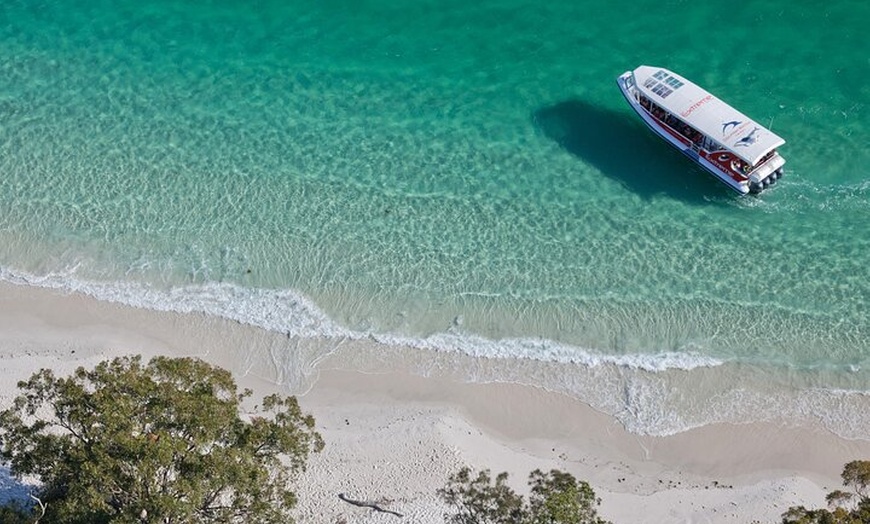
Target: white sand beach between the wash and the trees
x=394, y=437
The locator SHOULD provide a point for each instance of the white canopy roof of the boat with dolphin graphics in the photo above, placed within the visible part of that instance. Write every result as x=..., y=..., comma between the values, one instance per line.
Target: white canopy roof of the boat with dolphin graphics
x=737, y=133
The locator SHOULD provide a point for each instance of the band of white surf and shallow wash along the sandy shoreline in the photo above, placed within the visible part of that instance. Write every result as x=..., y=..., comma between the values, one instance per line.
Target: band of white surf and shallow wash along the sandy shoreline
x=644, y=391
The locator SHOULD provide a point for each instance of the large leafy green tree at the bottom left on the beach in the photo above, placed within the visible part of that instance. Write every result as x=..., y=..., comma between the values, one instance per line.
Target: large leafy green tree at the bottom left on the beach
x=162, y=443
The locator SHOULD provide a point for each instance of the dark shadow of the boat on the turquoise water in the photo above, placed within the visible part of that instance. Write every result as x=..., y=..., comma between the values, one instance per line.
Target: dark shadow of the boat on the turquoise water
x=618, y=144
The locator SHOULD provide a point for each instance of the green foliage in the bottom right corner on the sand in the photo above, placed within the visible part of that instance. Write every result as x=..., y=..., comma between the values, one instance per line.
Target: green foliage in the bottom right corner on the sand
x=847, y=507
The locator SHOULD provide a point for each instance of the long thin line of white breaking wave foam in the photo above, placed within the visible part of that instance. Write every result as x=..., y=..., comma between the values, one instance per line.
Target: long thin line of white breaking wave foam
x=289, y=312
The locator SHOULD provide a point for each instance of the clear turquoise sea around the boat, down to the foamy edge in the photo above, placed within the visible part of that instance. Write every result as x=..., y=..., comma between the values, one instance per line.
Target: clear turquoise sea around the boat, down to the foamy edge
x=448, y=176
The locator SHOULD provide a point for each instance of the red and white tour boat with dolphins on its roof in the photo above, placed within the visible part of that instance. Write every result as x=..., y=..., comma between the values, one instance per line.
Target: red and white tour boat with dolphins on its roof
x=735, y=149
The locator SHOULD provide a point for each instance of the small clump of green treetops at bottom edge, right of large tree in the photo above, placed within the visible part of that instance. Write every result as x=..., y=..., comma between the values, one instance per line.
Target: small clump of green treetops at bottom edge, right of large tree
x=556, y=498
